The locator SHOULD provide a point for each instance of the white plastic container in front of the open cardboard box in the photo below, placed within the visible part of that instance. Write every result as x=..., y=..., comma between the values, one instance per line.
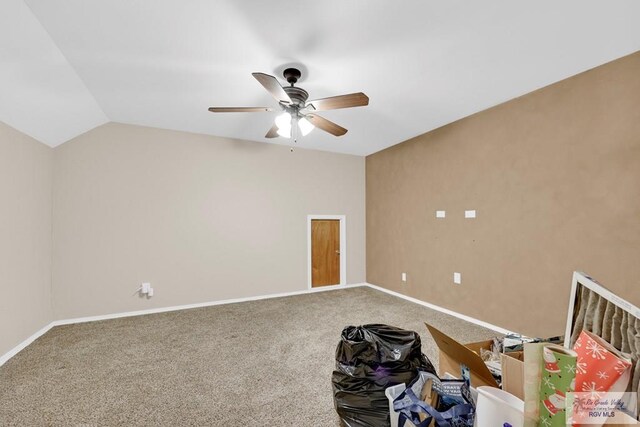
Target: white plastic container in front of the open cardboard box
x=496, y=407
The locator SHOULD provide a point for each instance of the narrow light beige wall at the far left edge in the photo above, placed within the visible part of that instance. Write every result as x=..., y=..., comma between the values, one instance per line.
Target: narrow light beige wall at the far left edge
x=25, y=236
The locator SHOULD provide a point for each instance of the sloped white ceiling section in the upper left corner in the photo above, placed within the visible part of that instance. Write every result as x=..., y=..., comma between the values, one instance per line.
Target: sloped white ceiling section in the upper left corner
x=40, y=92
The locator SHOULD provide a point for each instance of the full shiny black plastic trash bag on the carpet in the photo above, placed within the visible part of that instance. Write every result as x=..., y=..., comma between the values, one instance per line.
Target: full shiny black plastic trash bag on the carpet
x=369, y=359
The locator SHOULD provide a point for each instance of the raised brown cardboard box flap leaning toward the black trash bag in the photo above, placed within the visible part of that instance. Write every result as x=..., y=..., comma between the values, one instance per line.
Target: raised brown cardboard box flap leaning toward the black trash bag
x=457, y=354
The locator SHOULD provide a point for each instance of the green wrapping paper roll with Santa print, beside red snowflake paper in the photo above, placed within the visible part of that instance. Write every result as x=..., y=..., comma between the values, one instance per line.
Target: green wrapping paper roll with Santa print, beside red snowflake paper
x=558, y=376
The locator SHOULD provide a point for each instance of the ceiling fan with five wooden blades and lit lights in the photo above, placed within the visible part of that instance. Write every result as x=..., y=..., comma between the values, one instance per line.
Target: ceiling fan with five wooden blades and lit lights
x=297, y=112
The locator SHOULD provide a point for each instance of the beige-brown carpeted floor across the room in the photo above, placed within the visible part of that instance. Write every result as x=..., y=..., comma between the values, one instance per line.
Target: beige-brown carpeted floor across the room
x=262, y=363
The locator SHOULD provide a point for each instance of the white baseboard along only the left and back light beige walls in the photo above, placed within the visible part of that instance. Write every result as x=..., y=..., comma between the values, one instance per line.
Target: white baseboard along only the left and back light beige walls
x=8, y=355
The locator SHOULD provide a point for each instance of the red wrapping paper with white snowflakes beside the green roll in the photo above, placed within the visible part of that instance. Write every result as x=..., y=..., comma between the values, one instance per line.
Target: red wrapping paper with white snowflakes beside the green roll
x=600, y=369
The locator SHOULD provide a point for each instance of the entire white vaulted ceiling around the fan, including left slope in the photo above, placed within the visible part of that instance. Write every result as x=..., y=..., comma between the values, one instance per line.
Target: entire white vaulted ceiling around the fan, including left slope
x=75, y=64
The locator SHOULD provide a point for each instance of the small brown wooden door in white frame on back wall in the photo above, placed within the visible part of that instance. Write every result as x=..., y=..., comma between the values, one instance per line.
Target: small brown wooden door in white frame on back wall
x=325, y=252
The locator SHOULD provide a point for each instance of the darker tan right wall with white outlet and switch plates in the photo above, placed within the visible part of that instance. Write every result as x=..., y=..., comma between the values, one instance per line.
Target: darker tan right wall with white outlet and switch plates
x=555, y=179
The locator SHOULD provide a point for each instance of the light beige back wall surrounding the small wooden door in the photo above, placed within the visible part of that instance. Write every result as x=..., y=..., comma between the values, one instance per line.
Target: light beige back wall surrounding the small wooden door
x=202, y=218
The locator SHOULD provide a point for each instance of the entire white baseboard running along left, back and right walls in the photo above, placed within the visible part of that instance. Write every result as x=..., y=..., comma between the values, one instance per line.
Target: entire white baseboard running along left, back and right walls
x=5, y=357
